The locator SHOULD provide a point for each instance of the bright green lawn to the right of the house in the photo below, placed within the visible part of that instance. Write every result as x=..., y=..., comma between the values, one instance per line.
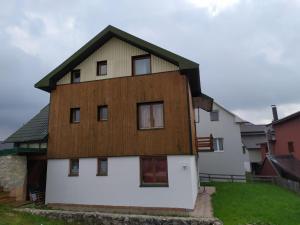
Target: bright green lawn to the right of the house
x=243, y=203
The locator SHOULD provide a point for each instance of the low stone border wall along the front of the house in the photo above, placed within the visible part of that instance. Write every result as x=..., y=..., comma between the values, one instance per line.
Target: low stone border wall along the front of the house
x=97, y=218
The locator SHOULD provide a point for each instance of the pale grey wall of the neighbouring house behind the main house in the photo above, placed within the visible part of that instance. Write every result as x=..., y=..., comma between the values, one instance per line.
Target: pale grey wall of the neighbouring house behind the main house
x=229, y=161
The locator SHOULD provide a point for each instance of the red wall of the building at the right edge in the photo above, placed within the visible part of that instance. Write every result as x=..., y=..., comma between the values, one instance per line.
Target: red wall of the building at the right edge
x=287, y=131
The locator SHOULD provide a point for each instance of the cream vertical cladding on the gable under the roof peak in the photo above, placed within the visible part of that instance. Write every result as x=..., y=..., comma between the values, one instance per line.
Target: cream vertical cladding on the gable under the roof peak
x=118, y=55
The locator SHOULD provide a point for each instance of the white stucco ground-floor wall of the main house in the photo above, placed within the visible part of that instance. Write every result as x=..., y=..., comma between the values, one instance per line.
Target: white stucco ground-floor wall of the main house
x=122, y=185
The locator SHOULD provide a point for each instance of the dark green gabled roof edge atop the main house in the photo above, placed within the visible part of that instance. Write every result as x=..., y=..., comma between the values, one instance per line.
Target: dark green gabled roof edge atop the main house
x=187, y=67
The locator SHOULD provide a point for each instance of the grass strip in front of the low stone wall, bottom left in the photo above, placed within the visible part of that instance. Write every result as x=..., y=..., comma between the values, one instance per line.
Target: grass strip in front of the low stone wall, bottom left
x=10, y=217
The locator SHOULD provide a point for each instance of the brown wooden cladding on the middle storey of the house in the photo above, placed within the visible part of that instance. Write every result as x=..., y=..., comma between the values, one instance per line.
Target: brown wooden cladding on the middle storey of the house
x=119, y=135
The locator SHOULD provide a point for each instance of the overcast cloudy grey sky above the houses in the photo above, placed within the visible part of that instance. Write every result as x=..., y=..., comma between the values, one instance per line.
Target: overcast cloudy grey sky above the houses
x=248, y=51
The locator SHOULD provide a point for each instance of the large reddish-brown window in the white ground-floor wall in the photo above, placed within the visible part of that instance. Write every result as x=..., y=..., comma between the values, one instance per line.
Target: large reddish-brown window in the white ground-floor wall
x=154, y=171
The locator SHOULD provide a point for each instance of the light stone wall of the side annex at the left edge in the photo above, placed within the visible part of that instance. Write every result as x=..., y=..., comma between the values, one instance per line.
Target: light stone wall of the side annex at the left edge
x=13, y=170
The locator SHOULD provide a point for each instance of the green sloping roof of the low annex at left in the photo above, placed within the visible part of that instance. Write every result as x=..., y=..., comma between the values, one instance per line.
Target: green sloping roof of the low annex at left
x=34, y=130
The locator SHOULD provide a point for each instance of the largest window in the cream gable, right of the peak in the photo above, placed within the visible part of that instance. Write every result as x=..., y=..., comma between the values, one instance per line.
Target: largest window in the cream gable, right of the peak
x=141, y=65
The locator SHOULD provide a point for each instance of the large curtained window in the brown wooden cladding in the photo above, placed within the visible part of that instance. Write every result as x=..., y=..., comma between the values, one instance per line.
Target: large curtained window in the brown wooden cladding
x=150, y=115
